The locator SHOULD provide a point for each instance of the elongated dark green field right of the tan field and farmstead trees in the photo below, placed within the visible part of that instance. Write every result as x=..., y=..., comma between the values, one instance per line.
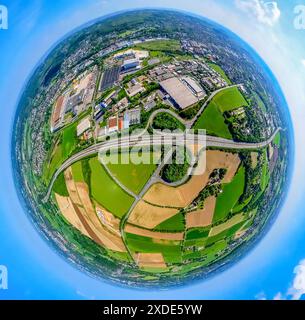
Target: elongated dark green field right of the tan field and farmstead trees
x=230, y=195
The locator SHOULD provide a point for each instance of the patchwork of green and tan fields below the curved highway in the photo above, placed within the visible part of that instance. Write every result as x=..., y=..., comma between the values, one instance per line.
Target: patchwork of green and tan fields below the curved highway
x=157, y=236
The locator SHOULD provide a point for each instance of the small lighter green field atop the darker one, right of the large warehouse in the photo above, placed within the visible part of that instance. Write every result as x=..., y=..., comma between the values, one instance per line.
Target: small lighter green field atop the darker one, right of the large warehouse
x=229, y=99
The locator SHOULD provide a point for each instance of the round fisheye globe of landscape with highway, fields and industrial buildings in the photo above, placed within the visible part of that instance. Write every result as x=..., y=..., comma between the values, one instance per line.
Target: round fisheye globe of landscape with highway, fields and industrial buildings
x=196, y=134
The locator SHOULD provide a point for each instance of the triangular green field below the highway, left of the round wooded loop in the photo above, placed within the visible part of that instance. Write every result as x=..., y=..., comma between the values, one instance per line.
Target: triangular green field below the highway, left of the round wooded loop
x=133, y=176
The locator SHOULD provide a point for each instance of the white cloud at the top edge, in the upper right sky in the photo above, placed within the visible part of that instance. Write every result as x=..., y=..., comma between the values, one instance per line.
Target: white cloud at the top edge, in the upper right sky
x=266, y=12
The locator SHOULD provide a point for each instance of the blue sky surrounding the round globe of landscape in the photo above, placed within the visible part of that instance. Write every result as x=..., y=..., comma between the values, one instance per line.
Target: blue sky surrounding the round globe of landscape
x=274, y=269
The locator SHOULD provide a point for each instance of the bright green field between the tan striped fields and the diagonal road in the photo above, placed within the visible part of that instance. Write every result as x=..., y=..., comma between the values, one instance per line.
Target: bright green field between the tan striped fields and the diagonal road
x=106, y=192
